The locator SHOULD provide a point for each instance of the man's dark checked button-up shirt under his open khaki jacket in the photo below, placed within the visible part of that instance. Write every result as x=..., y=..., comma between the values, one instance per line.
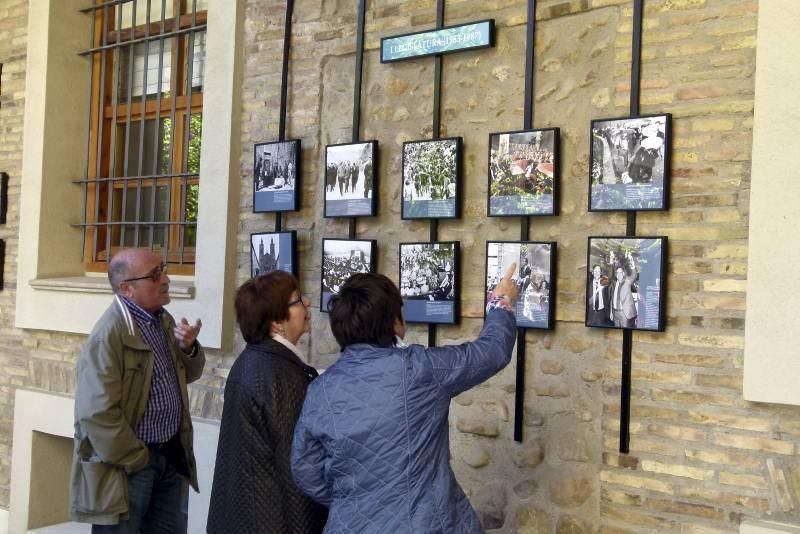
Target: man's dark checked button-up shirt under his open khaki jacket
x=164, y=412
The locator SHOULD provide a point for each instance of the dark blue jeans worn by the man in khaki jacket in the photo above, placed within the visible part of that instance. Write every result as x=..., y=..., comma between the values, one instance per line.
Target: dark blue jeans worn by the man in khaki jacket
x=158, y=499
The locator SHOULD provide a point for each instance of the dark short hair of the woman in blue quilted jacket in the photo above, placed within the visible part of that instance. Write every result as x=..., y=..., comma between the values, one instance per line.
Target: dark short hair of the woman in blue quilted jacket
x=365, y=310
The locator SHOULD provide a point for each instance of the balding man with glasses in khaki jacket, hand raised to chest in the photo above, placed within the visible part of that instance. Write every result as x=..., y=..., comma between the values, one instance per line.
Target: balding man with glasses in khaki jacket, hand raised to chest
x=133, y=431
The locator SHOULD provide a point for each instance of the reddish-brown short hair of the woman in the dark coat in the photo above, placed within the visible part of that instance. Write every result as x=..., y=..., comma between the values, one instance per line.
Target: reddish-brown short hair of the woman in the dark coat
x=262, y=301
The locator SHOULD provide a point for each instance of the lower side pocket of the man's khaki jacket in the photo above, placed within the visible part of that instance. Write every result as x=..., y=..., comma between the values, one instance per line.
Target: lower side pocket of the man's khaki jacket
x=103, y=489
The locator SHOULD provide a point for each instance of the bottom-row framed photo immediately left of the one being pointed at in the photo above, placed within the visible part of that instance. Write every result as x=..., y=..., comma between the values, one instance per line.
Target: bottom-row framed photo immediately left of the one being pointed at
x=429, y=282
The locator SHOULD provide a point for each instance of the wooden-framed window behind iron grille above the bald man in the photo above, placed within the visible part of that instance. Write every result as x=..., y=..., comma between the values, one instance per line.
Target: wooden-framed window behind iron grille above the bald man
x=142, y=167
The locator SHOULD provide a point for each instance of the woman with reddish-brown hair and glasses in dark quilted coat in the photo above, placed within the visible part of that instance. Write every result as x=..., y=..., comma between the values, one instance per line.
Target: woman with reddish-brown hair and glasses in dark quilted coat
x=253, y=489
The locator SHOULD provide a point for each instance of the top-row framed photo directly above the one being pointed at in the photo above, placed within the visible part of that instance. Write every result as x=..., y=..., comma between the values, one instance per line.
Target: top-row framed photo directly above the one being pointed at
x=524, y=173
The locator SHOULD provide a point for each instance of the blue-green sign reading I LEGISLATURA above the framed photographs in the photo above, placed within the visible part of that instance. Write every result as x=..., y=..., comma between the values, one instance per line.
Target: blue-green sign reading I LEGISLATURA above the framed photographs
x=442, y=41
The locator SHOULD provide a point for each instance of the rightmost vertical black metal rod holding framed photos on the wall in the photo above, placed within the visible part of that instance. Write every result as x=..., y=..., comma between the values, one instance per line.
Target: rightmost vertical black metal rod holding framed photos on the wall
x=630, y=230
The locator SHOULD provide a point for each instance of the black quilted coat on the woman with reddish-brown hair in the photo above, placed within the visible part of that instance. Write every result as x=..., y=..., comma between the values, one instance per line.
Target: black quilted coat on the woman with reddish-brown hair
x=253, y=489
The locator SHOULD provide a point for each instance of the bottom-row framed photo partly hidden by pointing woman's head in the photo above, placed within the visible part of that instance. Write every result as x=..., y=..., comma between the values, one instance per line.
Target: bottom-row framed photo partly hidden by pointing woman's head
x=342, y=258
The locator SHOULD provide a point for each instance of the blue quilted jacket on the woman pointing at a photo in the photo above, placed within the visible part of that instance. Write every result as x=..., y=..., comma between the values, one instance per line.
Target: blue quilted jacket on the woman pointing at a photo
x=372, y=441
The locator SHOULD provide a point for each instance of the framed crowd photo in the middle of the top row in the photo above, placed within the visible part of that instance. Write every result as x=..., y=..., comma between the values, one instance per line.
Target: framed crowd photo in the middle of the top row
x=432, y=179
